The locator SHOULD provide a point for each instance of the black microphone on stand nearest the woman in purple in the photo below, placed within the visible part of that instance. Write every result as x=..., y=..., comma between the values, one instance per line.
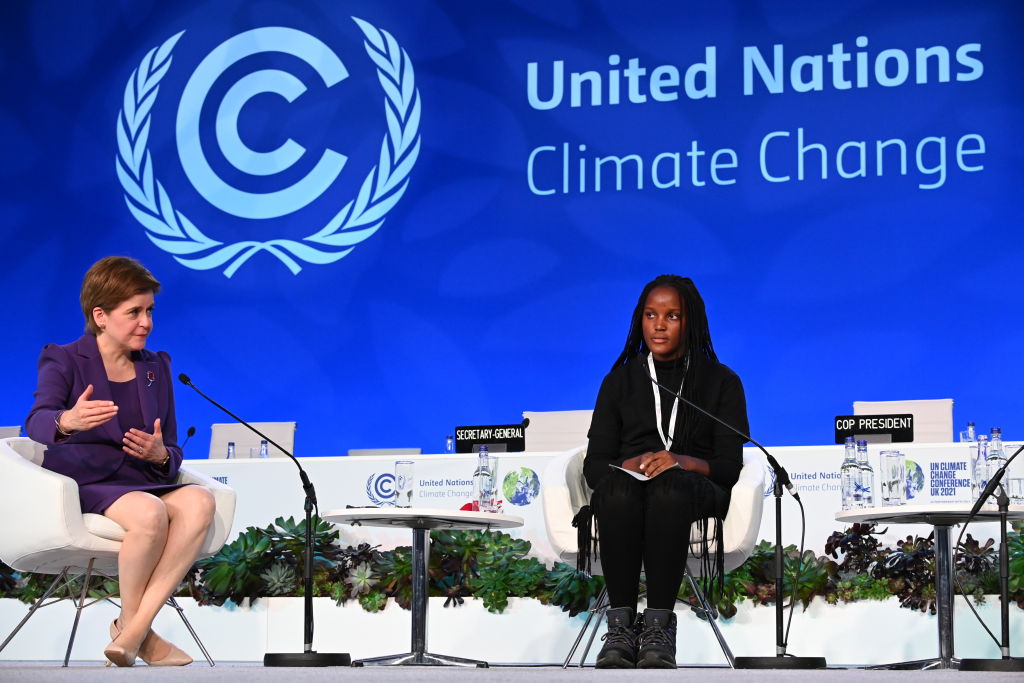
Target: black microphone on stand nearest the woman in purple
x=309, y=658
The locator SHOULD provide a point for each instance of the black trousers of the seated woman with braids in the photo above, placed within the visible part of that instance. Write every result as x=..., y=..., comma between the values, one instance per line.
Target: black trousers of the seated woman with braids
x=648, y=525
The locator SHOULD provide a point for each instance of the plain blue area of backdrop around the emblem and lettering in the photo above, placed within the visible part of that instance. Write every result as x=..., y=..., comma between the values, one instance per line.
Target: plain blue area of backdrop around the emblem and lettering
x=478, y=301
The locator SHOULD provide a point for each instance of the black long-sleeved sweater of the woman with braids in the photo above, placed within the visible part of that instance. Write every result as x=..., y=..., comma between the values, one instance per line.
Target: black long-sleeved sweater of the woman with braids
x=624, y=425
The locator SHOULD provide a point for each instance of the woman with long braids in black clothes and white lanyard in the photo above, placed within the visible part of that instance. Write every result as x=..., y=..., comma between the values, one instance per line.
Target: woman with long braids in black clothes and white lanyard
x=689, y=464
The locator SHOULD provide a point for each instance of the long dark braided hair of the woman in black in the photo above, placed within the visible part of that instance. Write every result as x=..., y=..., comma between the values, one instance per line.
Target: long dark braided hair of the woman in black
x=696, y=339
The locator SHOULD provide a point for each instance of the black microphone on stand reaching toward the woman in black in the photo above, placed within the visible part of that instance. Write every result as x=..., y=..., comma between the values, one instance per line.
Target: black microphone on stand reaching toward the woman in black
x=782, y=660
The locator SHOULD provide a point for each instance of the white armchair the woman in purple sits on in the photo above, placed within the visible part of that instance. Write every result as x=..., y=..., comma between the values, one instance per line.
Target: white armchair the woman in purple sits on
x=53, y=536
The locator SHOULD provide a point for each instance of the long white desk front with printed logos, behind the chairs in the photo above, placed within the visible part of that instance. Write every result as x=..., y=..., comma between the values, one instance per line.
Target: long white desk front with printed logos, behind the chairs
x=269, y=489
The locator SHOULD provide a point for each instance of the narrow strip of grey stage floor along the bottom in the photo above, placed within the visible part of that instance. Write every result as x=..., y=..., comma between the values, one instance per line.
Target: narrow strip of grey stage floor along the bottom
x=82, y=672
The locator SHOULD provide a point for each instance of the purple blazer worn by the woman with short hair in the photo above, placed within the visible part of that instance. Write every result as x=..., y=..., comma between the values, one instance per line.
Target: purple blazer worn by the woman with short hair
x=94, y=455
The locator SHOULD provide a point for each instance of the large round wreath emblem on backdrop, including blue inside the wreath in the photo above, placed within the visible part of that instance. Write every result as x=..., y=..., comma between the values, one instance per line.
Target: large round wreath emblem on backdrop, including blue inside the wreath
x=236, y=156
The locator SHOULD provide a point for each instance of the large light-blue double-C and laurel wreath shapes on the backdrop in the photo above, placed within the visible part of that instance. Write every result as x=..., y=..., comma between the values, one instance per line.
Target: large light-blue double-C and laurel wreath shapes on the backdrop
x=173, y=232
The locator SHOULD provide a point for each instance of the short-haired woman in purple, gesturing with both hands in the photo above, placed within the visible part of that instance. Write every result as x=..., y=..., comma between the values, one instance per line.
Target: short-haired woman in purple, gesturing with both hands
x=105, y=408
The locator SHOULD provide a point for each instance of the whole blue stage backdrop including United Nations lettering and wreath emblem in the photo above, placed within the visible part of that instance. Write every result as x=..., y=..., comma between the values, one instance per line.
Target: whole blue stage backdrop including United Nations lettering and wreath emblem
x=385, y=220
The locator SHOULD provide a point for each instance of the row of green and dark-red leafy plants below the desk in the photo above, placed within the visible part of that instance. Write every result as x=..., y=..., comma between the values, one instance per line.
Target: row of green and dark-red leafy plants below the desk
x=494, y=567
